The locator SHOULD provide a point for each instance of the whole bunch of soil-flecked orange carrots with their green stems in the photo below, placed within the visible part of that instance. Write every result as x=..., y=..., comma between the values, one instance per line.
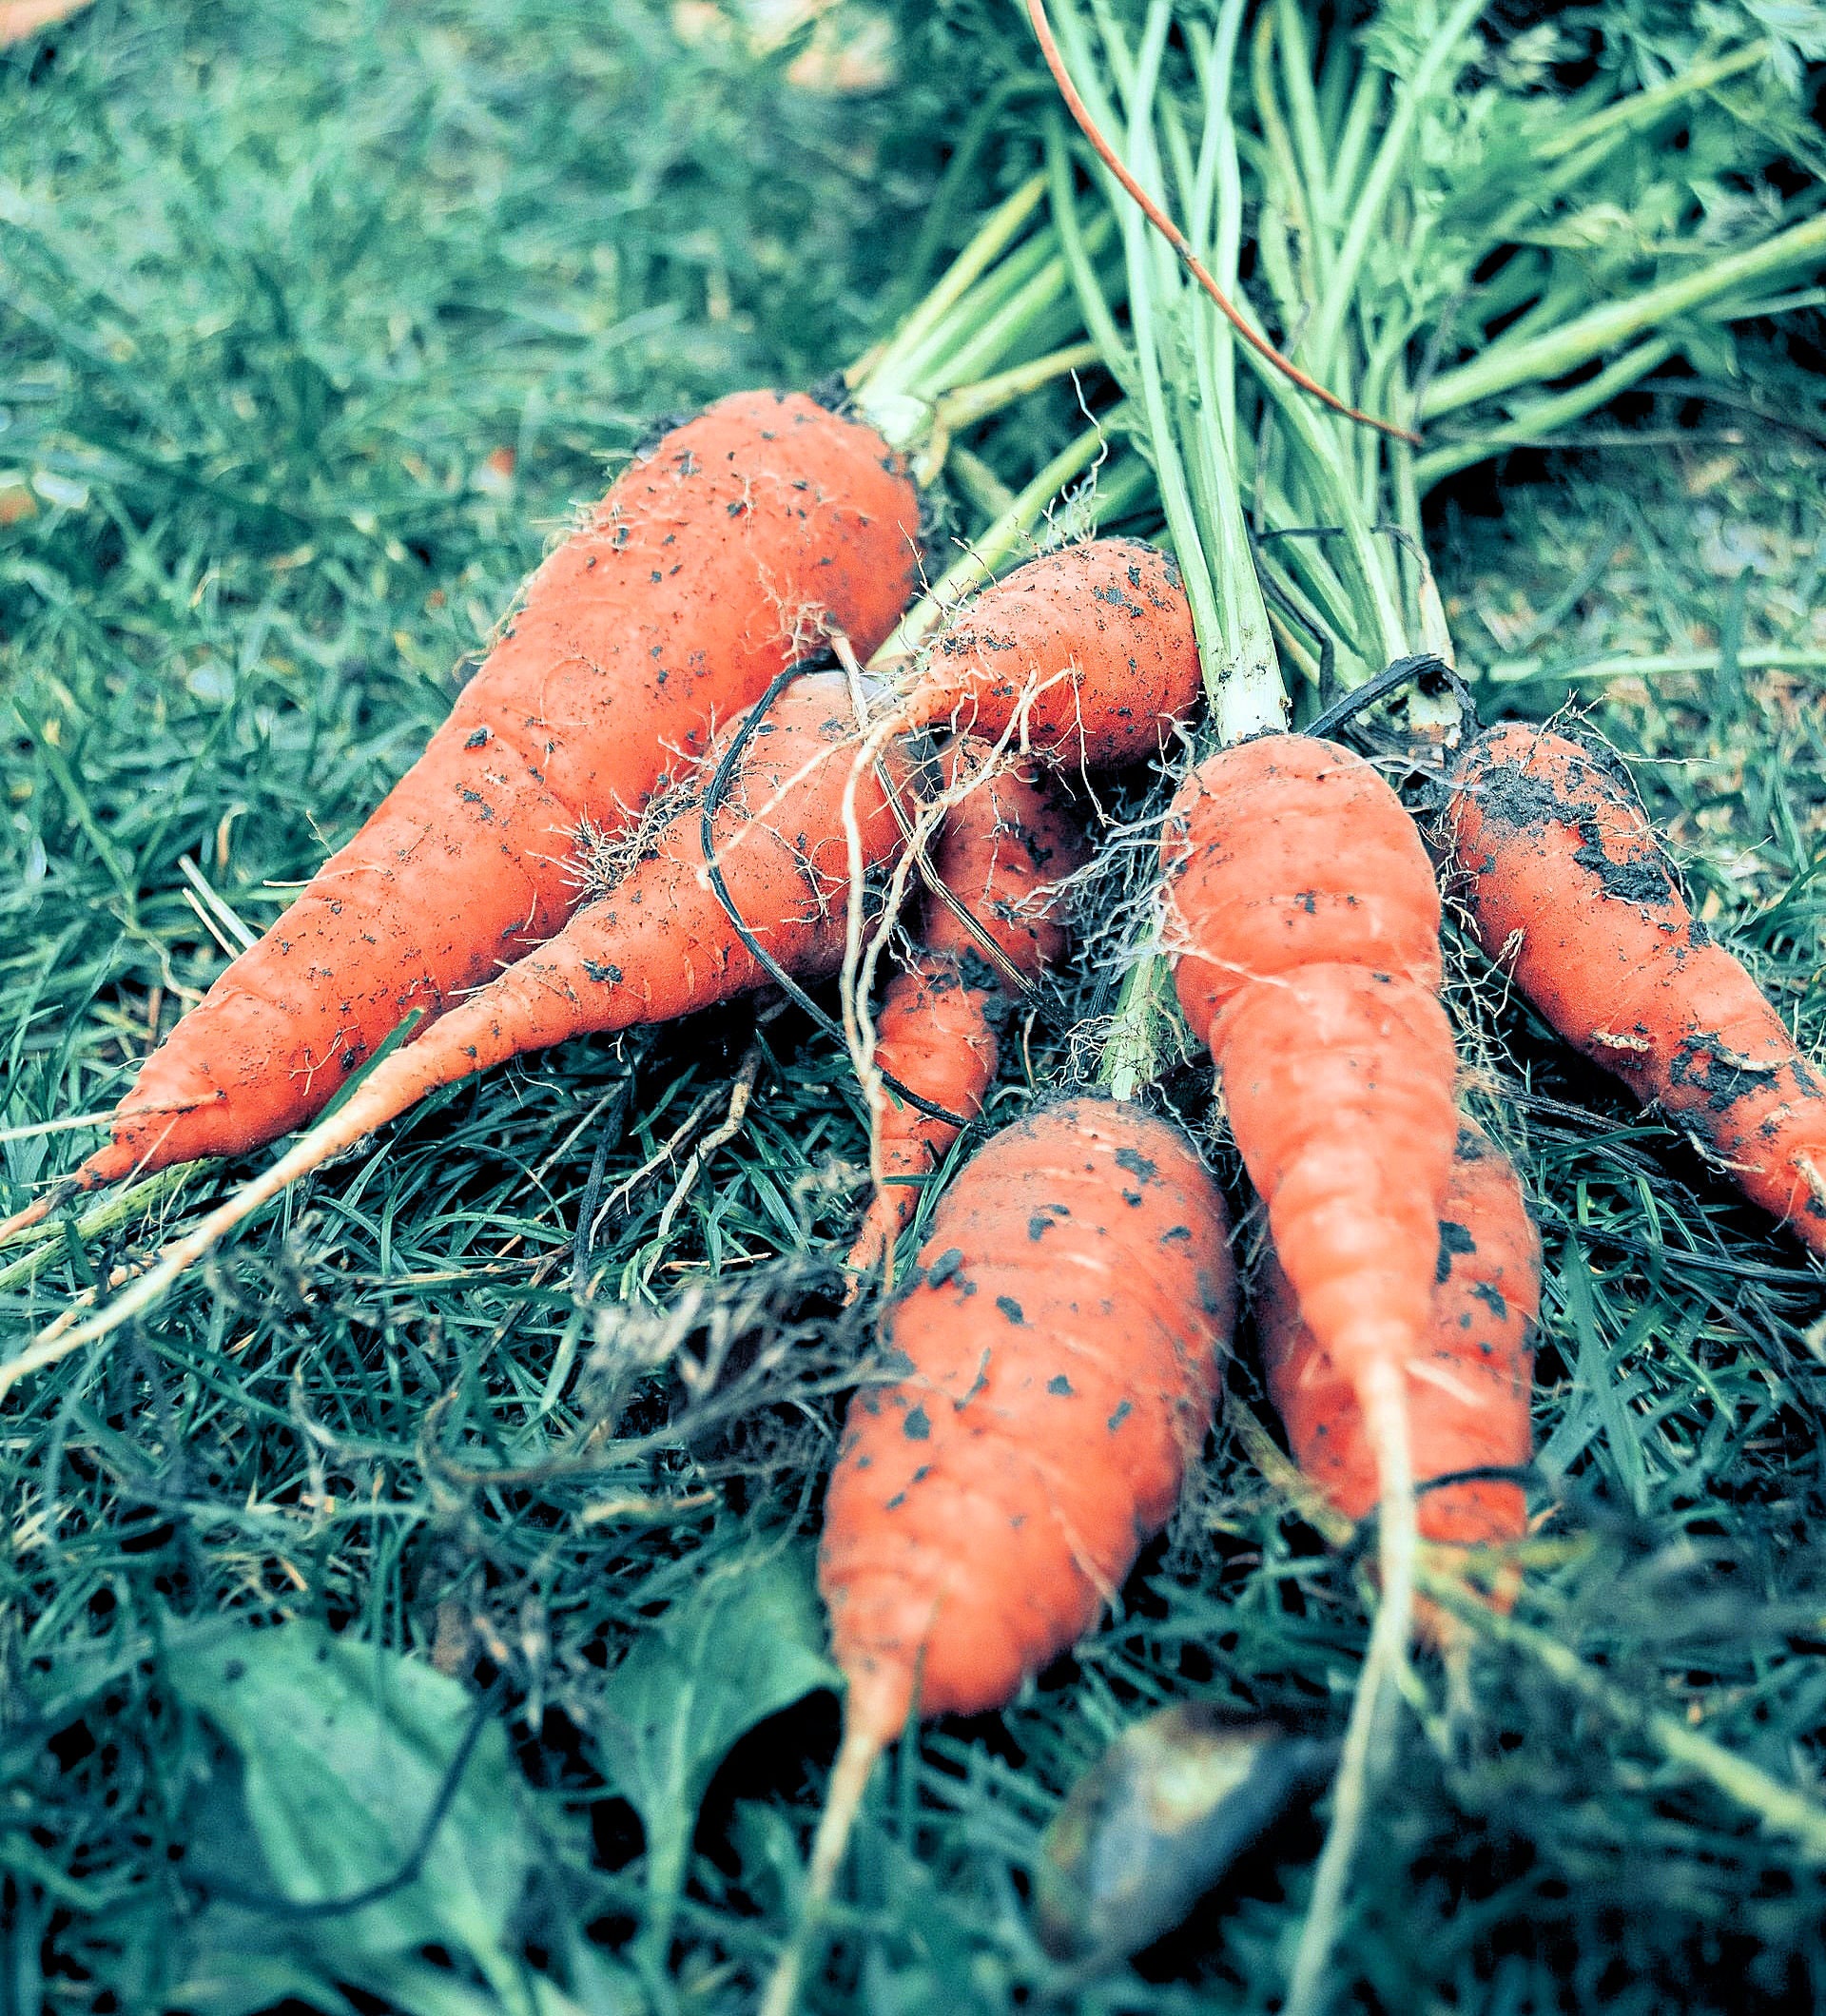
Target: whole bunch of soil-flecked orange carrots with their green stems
x=727, y=670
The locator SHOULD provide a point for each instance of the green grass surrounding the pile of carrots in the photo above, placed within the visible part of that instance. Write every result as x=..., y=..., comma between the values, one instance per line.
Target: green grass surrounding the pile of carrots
x=281, y=283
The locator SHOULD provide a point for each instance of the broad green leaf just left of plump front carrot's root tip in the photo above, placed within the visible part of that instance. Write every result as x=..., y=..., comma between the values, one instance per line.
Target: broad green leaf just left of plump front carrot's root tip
x=743, y=1646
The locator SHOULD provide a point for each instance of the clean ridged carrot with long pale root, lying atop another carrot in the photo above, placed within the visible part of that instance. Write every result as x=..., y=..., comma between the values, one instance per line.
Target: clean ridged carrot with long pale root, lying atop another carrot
x=1305, y=926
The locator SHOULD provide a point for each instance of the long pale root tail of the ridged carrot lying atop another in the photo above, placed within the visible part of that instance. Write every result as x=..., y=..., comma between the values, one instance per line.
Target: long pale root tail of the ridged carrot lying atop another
x=1386, y=1412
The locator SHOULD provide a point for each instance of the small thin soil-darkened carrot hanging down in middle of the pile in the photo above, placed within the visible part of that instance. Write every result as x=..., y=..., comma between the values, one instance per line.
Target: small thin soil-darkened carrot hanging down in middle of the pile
x=1003, y=854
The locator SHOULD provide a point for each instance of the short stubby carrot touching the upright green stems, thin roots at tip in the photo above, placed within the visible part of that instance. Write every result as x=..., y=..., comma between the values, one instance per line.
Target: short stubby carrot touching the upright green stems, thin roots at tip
x=1083, y=656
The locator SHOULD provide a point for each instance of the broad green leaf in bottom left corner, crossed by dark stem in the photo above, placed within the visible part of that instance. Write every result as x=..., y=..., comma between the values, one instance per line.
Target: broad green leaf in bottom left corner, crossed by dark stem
x=346, y=1751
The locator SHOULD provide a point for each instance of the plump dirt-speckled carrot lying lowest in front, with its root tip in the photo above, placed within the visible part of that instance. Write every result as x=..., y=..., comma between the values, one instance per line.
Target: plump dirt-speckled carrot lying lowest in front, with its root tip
x=1059, y=1360
